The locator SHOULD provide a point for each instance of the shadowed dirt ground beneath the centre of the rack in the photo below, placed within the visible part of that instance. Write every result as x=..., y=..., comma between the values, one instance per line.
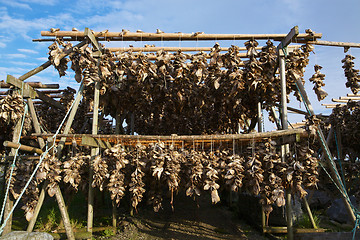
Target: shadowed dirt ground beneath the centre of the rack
x=207, y=222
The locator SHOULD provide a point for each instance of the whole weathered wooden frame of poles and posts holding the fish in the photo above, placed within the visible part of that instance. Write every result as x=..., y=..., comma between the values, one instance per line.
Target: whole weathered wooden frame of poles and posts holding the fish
x=96, y=141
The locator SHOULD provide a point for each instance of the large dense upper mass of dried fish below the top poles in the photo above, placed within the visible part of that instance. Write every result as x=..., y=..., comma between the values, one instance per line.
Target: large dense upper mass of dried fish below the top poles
x=186, y=94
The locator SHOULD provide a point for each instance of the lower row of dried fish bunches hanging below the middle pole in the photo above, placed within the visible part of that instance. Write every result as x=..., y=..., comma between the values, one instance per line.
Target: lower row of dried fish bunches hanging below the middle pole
x=144, y=171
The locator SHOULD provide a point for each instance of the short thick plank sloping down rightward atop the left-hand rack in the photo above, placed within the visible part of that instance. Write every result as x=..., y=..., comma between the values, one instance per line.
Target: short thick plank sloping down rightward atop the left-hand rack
x=28, y=91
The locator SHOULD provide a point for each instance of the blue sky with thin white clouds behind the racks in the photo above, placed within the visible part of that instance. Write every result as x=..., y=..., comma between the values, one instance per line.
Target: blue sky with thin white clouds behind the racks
x=22, y=20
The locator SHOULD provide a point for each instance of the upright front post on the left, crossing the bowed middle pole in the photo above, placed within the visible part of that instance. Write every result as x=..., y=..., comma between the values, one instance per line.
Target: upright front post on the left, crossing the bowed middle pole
x=94, y=153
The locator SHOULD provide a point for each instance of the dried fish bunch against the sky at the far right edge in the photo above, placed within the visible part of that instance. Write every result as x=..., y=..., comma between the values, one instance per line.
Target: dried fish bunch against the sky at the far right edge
x=351, y=74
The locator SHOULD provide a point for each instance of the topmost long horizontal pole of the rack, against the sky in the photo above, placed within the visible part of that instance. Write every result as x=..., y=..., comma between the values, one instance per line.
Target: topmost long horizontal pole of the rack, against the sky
x=142, y=36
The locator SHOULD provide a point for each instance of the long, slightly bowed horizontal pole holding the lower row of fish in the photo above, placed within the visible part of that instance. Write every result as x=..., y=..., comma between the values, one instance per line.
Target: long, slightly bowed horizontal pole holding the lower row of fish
x=183, y=141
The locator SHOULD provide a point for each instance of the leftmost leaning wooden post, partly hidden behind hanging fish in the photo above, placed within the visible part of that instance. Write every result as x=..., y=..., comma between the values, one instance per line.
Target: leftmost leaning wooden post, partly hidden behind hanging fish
x=9, y=202
